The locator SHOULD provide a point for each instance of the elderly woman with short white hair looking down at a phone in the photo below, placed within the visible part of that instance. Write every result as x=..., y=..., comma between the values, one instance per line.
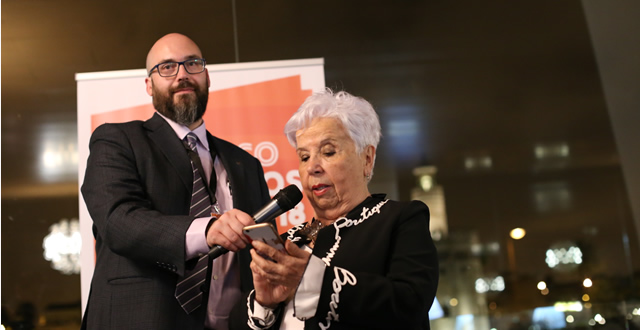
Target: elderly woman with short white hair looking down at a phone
x=363, y=262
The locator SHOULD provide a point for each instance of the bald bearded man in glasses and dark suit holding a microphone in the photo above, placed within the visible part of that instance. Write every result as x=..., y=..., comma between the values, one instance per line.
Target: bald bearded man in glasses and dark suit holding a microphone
x=138, y=189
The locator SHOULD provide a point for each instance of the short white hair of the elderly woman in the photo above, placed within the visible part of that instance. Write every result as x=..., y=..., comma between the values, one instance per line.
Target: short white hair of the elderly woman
x=355, y=113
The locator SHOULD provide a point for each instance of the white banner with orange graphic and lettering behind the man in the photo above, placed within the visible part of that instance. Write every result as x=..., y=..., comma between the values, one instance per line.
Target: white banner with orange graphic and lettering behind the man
x=249, y=103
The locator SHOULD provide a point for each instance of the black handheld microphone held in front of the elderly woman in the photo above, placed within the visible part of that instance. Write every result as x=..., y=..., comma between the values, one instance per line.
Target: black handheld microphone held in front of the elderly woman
x=282, y=202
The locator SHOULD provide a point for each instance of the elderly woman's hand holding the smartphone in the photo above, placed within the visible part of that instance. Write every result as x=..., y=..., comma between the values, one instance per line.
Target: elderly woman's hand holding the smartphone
x=276, y=280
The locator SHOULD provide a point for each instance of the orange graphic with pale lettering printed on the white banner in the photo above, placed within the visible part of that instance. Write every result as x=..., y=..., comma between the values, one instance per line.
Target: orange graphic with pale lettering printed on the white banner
x=253, y=117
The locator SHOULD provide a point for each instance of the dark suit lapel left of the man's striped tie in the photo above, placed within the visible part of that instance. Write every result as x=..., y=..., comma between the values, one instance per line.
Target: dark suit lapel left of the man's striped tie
x=166, y=140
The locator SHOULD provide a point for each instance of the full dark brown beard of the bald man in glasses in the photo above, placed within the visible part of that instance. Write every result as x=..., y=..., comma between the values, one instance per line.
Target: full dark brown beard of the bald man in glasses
x=187, y=109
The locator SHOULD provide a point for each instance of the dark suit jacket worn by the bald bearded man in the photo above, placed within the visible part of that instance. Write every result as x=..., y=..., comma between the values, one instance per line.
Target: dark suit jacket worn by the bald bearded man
x=137, y=188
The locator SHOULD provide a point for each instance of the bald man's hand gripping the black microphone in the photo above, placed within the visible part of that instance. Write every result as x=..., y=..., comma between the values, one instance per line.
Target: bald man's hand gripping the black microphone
x=226, y=231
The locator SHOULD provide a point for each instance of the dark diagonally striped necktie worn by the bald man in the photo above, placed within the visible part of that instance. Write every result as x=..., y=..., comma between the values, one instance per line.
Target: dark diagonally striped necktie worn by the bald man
x=189, y=288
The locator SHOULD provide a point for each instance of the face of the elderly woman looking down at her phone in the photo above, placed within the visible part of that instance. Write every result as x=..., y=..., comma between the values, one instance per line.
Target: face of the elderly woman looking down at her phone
x=332, y=173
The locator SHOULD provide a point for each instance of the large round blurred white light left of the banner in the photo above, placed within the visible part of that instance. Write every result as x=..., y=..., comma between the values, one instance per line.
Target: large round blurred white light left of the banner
x=62, y=246
